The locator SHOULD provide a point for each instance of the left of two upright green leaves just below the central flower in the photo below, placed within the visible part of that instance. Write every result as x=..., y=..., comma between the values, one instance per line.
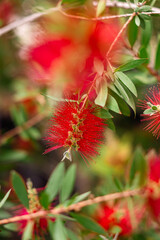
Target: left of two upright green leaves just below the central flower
x=54, y=183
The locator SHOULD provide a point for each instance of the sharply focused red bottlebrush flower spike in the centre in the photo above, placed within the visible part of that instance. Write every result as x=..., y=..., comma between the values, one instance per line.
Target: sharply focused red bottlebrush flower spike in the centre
x=75, y=127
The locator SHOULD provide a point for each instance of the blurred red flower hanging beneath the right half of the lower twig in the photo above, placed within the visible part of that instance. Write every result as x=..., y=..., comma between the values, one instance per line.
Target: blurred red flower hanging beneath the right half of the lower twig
x=108, y=217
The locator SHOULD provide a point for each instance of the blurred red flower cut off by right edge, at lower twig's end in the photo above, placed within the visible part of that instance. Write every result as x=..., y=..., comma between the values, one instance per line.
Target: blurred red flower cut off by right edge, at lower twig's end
x=153, y=186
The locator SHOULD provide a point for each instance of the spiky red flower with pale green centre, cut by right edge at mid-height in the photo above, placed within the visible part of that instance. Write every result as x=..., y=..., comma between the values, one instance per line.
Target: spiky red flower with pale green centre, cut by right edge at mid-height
x=151, y=114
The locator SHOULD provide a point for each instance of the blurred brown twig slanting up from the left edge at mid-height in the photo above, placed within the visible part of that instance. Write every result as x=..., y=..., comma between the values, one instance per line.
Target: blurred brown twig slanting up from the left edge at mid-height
x=31, y=122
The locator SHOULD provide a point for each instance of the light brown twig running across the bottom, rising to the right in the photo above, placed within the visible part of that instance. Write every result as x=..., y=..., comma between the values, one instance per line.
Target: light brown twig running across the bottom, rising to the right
x=73, y=207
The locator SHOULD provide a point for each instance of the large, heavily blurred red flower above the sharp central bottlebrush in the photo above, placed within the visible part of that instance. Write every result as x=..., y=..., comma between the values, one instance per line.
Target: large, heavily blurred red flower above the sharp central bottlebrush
x=77, y=55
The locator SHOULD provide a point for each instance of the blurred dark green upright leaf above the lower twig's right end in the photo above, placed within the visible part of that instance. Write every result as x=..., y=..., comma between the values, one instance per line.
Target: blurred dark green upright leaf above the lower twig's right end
x=138, y=166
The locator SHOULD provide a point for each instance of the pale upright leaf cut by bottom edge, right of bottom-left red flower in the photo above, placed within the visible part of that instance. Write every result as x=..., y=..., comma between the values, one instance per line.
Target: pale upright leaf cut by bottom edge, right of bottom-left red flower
x=60, y=232
